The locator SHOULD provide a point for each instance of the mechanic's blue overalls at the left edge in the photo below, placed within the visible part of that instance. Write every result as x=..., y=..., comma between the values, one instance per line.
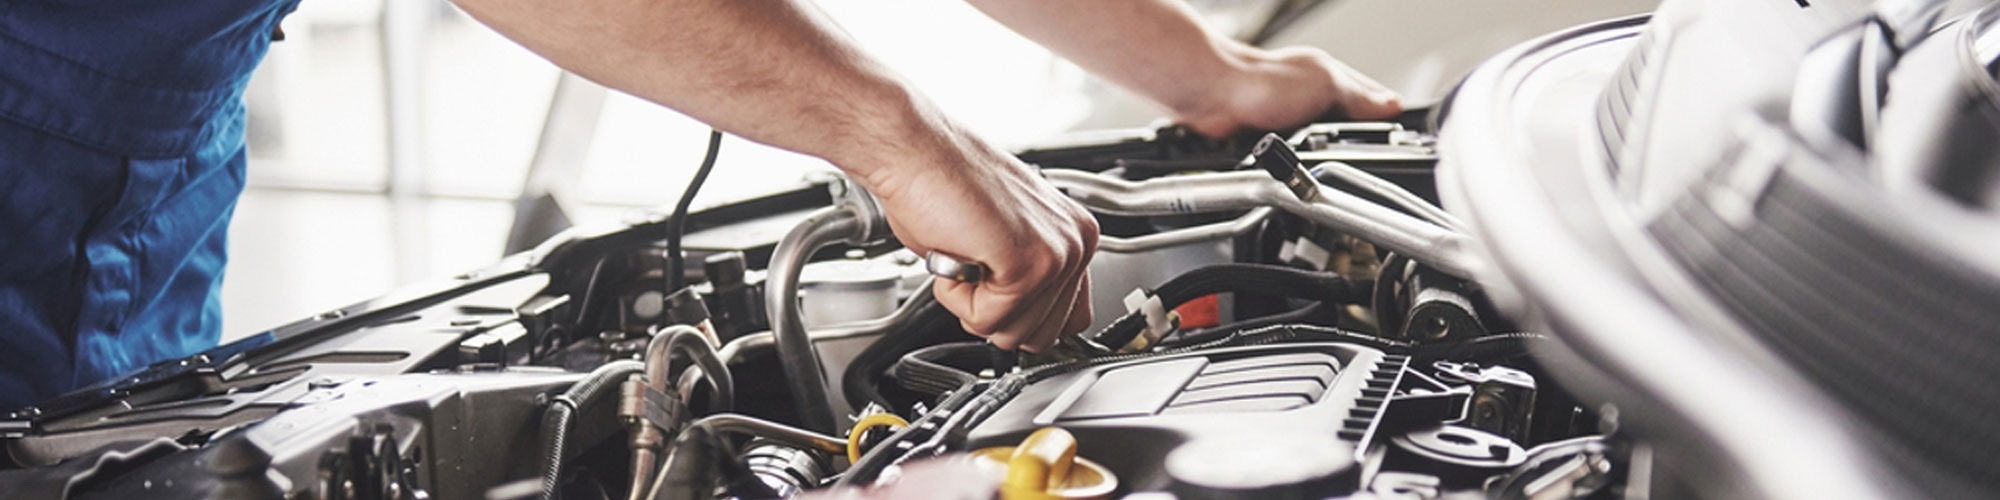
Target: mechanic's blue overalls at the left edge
x=121, y=161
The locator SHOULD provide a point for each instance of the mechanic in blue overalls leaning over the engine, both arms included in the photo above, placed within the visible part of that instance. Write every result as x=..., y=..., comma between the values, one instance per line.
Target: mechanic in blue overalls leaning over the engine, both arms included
x=123, y=147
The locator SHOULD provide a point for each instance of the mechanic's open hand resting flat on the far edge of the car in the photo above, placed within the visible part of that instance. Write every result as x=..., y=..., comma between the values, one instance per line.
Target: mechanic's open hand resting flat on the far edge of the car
x=1289, y=87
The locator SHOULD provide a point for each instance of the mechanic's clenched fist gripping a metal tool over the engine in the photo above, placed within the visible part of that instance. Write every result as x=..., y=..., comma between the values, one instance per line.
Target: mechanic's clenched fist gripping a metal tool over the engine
x=977, y=203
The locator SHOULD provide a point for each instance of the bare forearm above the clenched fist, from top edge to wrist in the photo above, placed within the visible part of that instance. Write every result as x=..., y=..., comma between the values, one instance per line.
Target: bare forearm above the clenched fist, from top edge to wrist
x=755, y=69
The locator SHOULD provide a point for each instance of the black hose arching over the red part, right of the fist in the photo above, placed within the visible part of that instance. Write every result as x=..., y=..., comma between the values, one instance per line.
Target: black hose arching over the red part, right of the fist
x=1243, y=279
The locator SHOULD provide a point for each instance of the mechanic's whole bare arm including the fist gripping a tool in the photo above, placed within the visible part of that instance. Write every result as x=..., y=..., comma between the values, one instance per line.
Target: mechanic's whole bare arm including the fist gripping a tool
x=781, y=75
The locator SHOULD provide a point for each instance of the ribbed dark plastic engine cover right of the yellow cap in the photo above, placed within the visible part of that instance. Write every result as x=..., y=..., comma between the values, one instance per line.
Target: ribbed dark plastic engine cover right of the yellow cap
x=1133, y=415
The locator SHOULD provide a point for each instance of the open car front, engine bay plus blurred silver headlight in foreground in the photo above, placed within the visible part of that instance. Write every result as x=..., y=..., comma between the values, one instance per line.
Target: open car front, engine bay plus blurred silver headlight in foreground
x=1279, y=317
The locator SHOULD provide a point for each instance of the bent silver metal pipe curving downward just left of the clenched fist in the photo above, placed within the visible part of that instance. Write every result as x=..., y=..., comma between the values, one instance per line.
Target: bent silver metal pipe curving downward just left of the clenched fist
x=781, y=299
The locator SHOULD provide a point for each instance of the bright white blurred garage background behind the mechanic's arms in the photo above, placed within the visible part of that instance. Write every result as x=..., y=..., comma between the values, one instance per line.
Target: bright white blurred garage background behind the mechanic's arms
x=391, y=141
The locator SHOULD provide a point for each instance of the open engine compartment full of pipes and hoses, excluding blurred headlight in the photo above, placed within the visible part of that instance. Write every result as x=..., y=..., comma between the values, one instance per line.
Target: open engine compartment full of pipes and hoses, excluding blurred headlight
x=571, y=371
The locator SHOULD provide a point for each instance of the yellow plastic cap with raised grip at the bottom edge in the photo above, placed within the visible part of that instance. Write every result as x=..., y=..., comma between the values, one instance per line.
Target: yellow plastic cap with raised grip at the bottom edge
x=1045, y=467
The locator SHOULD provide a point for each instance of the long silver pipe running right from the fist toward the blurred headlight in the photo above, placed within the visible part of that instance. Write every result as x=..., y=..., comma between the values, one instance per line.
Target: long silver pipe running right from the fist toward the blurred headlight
x=1441, y=249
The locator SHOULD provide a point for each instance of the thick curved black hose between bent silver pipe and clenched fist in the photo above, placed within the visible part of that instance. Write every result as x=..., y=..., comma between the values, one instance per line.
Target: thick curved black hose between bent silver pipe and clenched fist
x=931, y=325
